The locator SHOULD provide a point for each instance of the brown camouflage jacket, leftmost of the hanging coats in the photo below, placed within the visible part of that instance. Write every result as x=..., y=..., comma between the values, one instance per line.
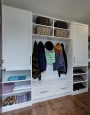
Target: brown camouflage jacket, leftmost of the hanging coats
x=35, y=66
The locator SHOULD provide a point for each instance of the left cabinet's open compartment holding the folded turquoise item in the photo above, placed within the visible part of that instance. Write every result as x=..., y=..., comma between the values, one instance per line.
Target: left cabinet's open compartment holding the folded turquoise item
x=24, y=75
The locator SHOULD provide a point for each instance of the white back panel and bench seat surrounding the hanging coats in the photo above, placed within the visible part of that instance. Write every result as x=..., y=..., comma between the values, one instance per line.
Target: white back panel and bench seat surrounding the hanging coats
x=53, y=77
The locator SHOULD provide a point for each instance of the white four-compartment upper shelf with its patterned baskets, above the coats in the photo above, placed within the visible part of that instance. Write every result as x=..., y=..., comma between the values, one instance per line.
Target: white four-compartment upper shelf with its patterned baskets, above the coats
x=52, y=28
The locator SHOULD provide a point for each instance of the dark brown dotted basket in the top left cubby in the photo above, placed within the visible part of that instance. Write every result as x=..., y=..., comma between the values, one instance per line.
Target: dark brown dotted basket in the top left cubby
x=43, y=21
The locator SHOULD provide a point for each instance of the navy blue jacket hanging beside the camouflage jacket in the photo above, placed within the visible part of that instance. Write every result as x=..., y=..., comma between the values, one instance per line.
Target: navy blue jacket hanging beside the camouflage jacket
x=41, y=57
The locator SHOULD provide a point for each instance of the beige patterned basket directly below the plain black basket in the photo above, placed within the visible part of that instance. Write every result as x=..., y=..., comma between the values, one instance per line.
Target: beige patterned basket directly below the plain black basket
x=61, y=33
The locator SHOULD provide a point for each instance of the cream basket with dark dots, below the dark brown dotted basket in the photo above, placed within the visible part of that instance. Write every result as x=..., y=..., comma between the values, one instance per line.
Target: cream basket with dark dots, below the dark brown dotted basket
x=42, y=30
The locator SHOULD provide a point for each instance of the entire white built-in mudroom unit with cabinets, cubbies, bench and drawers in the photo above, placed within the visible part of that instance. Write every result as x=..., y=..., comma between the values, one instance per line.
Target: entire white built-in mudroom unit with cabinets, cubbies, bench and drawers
x=18, y=38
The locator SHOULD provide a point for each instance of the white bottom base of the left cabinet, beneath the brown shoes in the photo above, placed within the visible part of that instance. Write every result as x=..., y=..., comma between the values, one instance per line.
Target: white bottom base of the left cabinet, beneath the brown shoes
x=16, y=106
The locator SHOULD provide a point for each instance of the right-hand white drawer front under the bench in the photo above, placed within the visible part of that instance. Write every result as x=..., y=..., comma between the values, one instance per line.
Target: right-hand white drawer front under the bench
x=62, y=88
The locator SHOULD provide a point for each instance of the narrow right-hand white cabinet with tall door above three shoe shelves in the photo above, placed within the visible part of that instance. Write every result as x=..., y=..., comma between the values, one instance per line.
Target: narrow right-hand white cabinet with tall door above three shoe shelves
x=80, y=54
